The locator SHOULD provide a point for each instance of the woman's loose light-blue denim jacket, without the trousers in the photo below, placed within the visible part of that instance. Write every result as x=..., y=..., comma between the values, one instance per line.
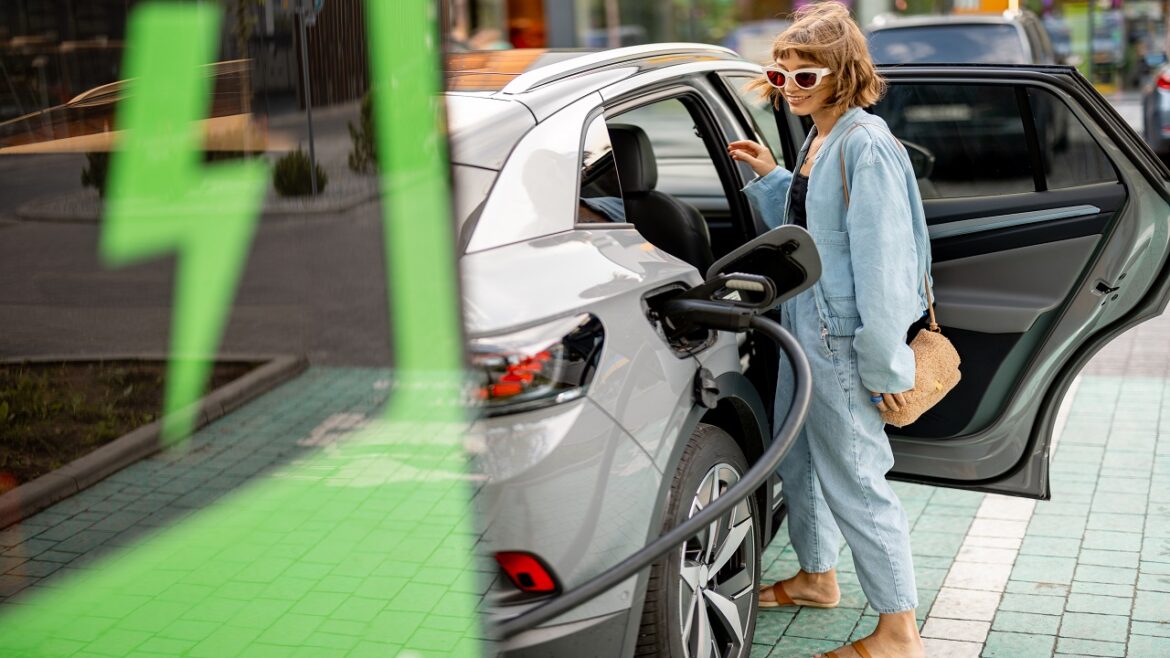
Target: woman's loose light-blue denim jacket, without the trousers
x=875, y=252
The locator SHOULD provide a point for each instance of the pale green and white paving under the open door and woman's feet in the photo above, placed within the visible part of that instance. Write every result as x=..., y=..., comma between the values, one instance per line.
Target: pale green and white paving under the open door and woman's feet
x=1085, y=574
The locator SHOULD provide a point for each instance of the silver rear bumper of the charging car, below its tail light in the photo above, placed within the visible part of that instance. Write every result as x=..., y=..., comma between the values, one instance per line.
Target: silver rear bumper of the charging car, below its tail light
x=569, y=485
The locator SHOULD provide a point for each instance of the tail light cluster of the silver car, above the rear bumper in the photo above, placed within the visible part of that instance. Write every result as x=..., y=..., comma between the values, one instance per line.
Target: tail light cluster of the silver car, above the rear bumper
x=540, y=367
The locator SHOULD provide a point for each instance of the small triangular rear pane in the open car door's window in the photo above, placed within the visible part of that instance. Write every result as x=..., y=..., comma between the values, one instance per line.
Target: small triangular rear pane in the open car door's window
x=1071, y=155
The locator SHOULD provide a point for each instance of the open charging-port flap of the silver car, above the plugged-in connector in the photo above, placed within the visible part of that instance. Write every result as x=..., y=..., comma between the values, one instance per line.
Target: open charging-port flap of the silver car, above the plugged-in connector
x=784, y=256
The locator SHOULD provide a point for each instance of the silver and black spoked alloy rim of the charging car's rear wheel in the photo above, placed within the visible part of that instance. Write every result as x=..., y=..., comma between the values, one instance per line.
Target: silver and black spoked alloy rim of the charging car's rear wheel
x=718, y=575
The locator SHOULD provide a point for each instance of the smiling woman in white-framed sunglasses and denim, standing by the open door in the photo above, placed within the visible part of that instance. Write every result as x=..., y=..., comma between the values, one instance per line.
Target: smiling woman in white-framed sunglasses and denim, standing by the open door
x=856, y=193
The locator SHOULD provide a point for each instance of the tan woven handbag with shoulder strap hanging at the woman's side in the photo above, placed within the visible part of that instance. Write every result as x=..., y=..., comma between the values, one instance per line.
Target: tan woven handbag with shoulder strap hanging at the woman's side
x=935, y=359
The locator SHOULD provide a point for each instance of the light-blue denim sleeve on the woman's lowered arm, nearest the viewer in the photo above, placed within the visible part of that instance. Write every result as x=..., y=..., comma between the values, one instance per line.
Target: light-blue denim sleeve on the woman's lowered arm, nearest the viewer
x=885, y=269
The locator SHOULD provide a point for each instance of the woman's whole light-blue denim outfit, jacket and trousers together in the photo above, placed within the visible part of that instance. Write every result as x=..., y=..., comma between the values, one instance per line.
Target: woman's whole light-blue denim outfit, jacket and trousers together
x=852, y=325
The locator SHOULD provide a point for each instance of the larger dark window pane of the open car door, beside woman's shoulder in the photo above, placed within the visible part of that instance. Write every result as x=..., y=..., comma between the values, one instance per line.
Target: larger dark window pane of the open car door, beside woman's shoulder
x=974, y=133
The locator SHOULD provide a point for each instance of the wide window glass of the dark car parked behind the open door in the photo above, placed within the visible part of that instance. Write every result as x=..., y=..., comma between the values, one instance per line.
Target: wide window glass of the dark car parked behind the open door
x=948, y=44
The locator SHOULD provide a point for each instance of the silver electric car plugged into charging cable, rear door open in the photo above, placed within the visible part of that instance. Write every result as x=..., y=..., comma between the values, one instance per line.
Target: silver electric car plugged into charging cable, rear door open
x=594, y=187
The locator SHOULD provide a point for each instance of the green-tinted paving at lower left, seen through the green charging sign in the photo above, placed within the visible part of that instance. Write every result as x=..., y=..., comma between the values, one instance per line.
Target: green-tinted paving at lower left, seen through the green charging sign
x=332, y=534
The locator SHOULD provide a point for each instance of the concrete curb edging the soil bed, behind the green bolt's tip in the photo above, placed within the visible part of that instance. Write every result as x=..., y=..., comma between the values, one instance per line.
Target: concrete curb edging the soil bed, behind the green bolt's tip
x=84, y=472
